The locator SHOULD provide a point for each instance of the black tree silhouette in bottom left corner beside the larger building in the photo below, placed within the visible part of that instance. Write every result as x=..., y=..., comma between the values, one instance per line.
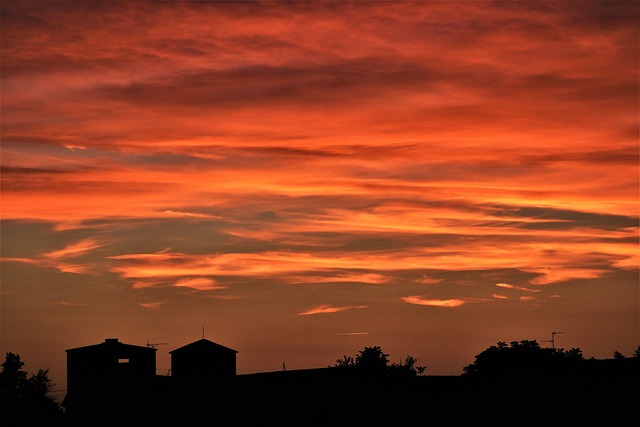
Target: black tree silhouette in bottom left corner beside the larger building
x=25, y=400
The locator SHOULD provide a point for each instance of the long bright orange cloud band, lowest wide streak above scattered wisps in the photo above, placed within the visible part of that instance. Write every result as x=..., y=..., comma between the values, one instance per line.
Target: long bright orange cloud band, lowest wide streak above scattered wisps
x=523, y=256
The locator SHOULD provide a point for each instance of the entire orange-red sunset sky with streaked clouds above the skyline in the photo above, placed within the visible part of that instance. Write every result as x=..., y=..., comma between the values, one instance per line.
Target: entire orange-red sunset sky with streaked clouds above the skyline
x=307, y=179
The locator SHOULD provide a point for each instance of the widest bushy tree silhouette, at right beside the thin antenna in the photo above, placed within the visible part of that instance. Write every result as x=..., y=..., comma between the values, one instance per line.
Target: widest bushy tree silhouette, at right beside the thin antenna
x=523, y=357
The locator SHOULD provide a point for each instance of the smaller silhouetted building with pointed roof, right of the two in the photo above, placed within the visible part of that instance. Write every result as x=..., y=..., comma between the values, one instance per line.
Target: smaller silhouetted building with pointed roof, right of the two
x=203, y=359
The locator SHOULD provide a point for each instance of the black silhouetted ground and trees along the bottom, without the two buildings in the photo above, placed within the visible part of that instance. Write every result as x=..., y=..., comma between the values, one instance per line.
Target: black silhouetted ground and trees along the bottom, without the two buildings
x=516, y=384
